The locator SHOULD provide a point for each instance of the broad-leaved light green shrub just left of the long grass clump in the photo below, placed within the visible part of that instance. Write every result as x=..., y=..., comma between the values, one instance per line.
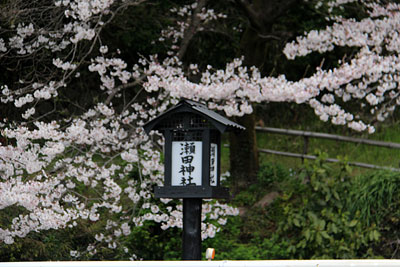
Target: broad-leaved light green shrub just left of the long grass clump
x=315, y=220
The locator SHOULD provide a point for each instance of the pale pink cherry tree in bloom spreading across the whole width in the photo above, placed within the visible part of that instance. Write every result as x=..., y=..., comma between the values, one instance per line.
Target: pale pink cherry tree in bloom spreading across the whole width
x=98, y=164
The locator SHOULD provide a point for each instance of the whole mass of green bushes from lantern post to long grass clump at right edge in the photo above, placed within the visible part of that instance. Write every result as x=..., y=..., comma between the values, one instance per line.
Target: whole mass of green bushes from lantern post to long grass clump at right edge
x=313, y=217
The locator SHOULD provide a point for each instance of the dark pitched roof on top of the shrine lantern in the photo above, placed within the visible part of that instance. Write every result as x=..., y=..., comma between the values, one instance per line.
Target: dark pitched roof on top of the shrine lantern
x=189, y=106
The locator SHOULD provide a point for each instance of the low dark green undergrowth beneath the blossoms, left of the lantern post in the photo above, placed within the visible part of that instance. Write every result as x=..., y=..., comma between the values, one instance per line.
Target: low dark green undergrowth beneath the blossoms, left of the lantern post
x=149, y=242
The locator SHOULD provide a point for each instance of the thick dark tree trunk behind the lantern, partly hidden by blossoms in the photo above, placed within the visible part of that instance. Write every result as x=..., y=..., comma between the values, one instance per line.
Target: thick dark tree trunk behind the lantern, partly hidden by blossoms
x=254, y=46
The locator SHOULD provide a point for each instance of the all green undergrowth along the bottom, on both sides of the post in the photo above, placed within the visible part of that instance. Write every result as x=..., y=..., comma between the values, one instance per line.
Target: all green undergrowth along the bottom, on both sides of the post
x=322, y=212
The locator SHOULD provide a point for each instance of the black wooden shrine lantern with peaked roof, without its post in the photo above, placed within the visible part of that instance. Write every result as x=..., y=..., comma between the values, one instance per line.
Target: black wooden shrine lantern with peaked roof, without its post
x=192, y=150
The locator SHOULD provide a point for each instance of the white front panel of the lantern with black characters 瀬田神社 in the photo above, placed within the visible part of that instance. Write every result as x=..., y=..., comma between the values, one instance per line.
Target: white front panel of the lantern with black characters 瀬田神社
x=186, y=163
